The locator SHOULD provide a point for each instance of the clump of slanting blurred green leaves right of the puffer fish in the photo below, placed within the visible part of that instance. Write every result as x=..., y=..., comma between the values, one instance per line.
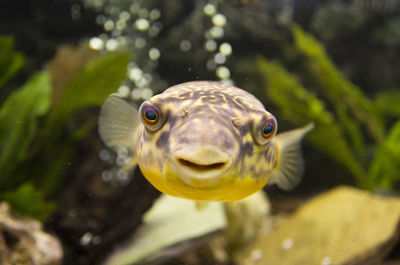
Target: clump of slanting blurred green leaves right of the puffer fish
x=350, y=127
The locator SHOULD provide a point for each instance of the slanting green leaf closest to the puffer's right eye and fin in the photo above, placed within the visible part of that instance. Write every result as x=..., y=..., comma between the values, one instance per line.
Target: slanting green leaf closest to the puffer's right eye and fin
x=300, y=106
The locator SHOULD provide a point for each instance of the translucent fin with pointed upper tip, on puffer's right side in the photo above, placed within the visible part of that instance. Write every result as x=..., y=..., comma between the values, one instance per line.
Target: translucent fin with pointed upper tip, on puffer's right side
x=290, y=164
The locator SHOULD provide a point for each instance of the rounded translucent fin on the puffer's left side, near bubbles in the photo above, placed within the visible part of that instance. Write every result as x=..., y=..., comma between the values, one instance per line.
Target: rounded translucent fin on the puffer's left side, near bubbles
x=118, y=123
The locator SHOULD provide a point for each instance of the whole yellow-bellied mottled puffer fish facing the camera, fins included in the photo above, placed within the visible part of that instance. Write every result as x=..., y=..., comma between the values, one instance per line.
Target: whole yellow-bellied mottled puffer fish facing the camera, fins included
x=205, y=141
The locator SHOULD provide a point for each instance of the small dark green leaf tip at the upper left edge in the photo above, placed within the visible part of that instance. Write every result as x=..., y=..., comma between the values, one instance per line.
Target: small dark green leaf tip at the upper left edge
x=10, y=61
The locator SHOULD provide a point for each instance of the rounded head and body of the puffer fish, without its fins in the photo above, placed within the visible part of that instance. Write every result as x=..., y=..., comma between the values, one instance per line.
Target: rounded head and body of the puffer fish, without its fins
x=206, y=141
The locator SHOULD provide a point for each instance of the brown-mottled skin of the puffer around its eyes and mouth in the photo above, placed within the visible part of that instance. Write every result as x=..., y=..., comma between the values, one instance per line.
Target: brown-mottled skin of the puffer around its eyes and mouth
x=203, y=112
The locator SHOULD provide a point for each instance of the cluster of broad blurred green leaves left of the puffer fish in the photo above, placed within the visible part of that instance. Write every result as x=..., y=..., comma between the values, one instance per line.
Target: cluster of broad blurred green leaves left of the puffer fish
x=37, y=141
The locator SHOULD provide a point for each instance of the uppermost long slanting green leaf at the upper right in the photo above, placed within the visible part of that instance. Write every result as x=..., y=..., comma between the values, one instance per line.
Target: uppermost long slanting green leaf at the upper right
x=344, y=95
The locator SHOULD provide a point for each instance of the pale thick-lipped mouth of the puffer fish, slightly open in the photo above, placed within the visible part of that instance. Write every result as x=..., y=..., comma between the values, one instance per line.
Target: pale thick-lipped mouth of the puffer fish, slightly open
x=201, y=167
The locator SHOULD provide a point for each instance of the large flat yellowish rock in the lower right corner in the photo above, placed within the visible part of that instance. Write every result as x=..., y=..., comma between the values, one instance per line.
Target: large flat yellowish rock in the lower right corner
x=342, y=226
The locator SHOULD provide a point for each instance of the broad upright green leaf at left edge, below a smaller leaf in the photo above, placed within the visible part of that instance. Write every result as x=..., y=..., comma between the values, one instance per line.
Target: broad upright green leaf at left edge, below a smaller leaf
x=18, y=121
